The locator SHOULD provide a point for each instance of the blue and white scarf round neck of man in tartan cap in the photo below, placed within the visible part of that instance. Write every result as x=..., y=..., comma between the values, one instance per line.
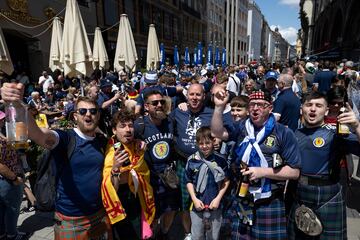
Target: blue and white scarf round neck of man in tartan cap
x=249, y=152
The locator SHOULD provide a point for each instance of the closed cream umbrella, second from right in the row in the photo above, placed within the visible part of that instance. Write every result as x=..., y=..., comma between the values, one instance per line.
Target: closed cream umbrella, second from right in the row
x=125, y=54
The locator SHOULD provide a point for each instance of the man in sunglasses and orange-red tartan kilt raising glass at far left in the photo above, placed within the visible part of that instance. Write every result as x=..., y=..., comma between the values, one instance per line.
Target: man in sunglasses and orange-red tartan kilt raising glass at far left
x=79, y=212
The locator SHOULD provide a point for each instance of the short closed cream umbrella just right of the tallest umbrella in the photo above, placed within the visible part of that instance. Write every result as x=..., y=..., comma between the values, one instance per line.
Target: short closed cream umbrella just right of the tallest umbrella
x=100, y=57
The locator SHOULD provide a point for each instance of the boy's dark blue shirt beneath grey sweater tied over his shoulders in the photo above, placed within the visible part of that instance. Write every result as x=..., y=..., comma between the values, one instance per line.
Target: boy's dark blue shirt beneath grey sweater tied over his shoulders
x=212, y=188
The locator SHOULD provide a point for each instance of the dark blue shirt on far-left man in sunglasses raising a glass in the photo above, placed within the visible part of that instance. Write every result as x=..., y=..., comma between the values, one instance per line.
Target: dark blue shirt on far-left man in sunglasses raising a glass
x=78, y=189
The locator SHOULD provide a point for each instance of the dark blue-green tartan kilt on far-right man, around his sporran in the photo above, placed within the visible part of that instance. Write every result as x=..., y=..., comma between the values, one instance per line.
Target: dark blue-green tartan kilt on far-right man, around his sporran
x=328, y=204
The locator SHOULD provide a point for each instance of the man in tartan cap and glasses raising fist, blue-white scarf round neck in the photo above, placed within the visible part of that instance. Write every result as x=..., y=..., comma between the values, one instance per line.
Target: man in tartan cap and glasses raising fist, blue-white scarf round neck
x=266, y=152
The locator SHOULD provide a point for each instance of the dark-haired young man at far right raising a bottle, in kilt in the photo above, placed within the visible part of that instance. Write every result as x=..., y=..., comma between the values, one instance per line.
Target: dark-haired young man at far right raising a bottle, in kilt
x=318, y=191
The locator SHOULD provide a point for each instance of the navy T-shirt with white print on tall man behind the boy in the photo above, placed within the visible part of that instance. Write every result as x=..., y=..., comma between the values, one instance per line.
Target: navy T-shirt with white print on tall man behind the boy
x=188, y=123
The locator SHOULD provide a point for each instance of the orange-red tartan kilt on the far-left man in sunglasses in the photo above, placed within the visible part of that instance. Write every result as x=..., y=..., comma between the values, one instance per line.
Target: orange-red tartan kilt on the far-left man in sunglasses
x=95, y=227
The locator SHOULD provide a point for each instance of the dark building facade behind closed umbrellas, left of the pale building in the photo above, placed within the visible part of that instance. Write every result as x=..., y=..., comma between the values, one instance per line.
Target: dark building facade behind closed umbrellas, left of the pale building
x=177, y=22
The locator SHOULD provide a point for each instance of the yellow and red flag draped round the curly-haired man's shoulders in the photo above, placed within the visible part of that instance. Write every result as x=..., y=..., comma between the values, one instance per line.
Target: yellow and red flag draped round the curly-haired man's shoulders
x=139, y=183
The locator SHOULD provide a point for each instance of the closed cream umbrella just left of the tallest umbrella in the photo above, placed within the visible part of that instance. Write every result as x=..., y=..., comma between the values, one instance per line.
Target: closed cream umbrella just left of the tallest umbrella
x=56, y=45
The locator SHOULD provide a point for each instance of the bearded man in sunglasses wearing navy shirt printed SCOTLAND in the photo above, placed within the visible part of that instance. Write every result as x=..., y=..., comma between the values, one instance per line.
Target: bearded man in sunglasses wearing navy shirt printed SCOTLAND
x=157, y=130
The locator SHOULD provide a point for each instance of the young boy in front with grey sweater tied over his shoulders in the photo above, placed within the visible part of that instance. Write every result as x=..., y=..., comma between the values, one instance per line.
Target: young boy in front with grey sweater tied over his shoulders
x=207, y=181
